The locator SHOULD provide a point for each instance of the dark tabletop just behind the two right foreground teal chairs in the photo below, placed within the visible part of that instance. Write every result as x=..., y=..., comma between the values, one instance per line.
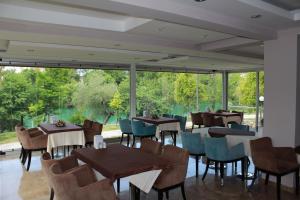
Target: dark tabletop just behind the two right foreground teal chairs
x=222, y=132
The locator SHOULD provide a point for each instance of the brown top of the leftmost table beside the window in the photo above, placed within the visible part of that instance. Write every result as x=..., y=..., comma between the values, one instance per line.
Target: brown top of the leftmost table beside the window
x=51, y=128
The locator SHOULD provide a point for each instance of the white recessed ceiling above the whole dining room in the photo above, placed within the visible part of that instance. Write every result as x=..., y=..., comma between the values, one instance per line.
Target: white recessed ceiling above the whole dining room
x=212, y=35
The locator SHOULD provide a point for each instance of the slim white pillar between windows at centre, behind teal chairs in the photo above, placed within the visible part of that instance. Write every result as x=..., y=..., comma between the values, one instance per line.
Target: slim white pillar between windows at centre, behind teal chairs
x=132, y=90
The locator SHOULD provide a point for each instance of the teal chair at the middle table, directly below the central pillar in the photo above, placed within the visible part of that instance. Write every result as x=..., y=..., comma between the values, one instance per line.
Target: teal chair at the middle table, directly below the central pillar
x=141, y=130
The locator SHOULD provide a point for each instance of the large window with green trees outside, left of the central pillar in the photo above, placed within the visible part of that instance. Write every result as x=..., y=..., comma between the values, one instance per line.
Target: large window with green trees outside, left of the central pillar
x=37, y=94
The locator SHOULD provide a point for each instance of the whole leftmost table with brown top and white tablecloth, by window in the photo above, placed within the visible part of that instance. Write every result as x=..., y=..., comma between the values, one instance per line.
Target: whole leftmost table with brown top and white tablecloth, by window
x=70, y=134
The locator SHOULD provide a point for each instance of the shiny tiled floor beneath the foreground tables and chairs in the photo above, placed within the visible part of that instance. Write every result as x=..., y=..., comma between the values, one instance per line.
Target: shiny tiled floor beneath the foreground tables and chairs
x=16, y=183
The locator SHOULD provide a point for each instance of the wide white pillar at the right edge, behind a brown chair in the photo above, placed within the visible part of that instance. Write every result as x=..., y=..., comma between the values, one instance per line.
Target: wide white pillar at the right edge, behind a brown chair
x=282, y=91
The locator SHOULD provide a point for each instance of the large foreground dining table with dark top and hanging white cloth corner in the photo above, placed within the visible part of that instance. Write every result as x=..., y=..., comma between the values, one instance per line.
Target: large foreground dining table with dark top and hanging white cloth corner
x=117, y=161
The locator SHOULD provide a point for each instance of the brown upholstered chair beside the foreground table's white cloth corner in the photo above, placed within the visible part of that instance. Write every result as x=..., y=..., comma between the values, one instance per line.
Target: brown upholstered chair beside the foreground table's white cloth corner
x=173, y=176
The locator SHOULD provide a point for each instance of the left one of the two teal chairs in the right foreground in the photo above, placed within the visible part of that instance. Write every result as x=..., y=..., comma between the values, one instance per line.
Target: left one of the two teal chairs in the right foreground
x=192, y=142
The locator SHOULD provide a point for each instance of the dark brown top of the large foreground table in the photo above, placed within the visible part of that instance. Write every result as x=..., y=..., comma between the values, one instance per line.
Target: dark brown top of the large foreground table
x=118, y=161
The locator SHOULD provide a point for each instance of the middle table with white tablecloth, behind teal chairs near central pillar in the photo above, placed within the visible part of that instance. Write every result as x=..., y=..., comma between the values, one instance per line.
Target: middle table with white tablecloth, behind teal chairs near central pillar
x=163, y=124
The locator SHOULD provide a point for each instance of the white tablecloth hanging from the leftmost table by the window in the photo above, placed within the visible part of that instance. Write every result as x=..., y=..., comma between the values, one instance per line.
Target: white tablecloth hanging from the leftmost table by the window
x=64, y=139
